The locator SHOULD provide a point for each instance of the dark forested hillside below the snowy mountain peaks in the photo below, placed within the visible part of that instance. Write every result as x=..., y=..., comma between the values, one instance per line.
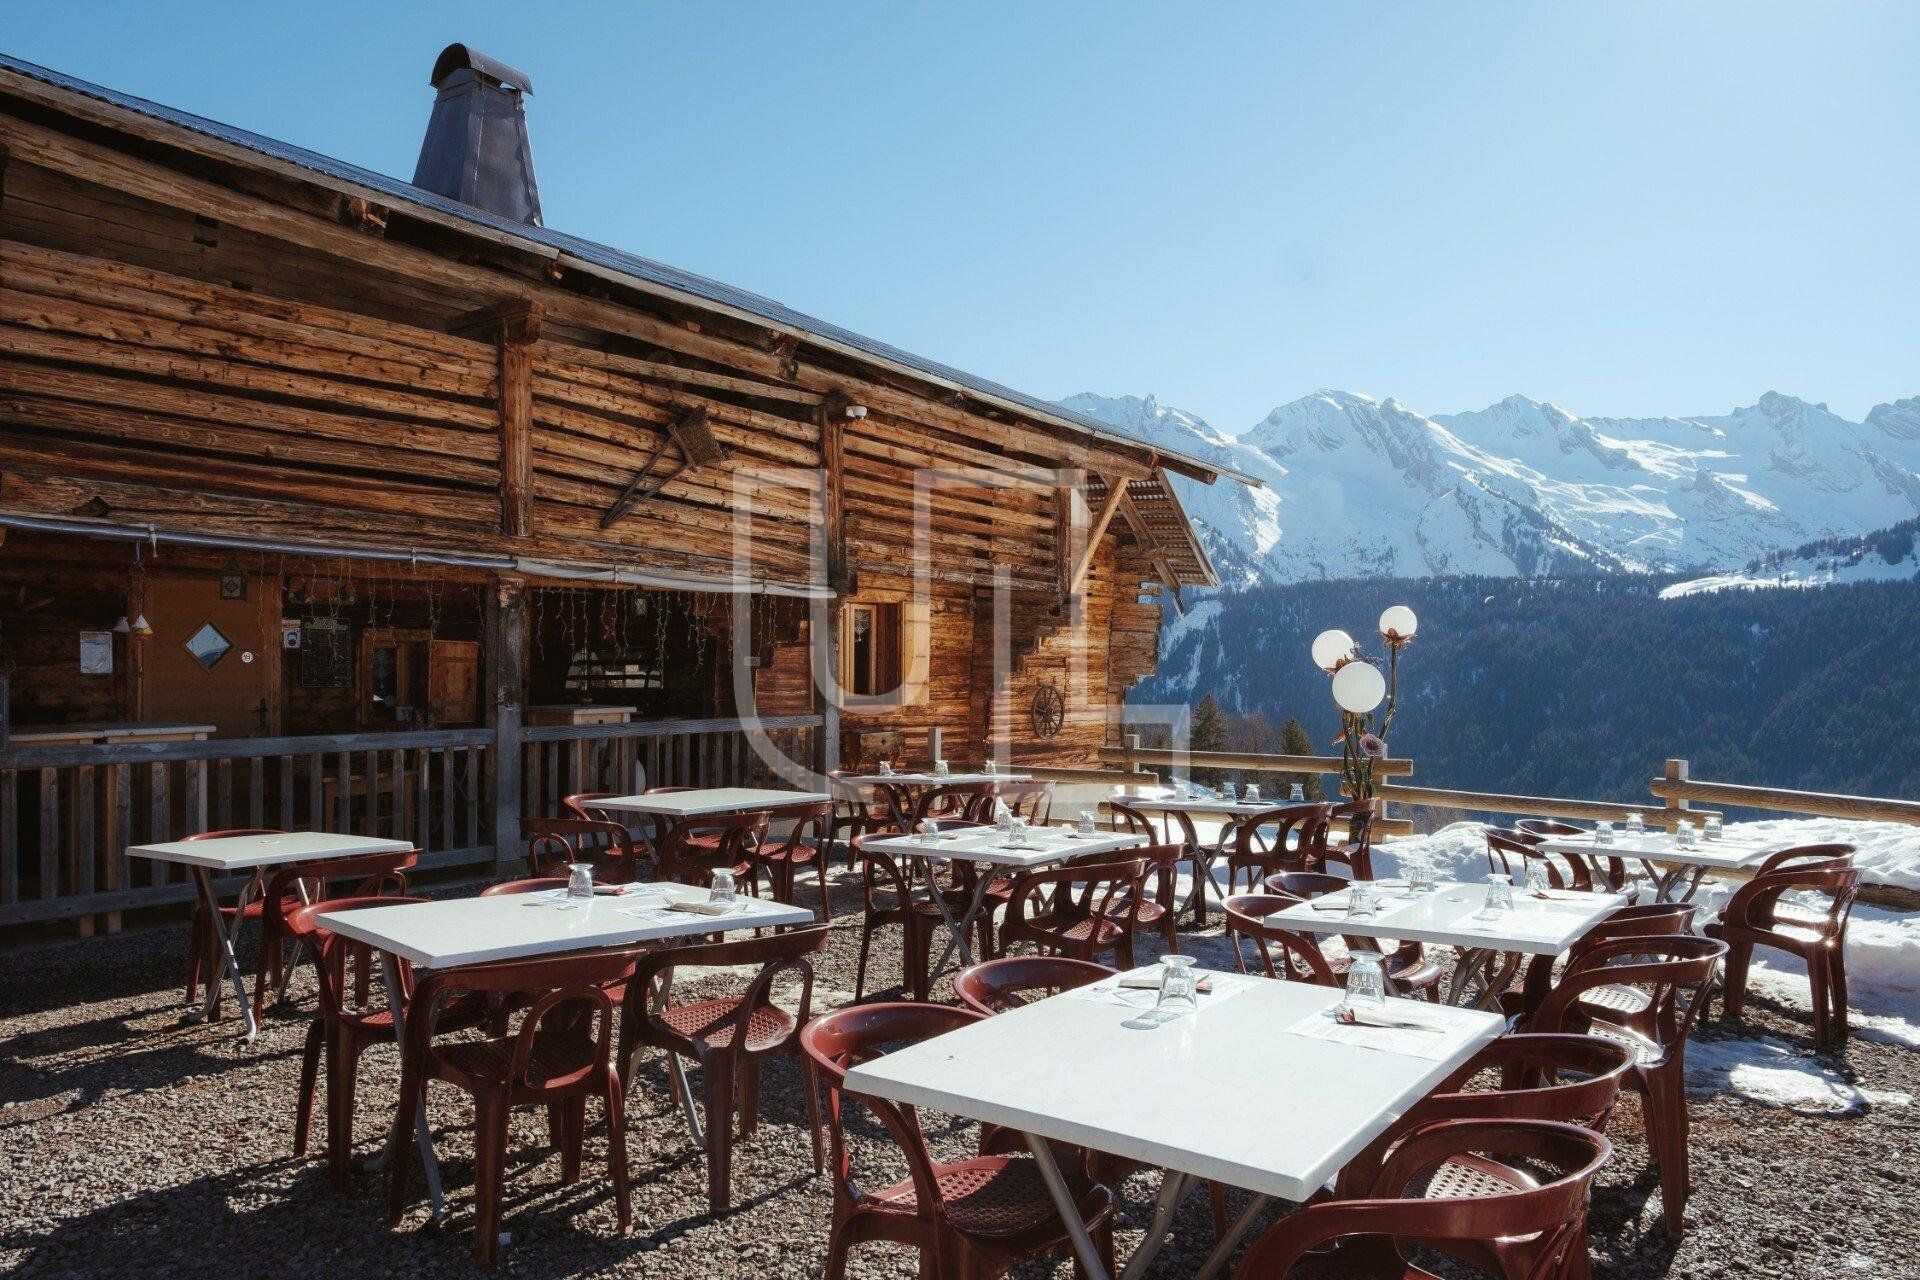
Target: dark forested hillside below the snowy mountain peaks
x=1581, y=688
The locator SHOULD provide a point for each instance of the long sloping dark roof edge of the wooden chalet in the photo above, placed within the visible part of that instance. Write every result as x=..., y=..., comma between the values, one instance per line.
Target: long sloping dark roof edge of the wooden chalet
x=638, y=270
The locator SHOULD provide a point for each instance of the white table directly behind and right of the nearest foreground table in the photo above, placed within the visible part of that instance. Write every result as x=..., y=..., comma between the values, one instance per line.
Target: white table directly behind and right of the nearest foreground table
x=1447, y=916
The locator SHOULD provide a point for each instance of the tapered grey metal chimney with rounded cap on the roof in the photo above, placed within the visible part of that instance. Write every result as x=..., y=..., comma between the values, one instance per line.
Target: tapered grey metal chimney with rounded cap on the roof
x=477, y=149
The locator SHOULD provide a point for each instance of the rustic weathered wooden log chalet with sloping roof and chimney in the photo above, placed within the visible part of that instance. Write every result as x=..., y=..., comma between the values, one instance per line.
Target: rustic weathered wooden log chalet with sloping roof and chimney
x=343, y=502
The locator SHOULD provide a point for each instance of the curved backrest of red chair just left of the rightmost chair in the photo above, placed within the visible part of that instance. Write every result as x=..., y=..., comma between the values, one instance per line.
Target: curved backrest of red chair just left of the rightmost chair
x=1673, y=972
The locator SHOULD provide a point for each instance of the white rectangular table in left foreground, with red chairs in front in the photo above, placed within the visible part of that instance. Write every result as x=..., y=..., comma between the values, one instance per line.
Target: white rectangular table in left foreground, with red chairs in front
x=469, y=932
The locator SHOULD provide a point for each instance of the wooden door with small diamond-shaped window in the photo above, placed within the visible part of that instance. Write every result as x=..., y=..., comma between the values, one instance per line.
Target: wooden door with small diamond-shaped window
x=210, y=659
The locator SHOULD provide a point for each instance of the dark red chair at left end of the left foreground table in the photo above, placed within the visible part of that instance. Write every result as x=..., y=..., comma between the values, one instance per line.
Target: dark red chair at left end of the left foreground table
x=341, y=1031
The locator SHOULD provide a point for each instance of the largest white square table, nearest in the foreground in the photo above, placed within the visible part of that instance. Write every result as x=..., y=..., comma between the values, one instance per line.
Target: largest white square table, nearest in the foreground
x=1095, y=1076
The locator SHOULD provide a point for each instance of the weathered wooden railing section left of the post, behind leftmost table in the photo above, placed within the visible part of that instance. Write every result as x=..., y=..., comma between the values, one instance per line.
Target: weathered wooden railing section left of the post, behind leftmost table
x=70, y=813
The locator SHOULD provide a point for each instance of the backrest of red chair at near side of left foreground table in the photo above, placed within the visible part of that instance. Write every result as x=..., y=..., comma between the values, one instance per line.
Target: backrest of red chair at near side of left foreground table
x=556, y=993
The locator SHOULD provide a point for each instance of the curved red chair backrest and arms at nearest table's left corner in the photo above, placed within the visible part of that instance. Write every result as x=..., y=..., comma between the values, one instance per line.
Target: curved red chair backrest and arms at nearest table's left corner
x=840, y=1041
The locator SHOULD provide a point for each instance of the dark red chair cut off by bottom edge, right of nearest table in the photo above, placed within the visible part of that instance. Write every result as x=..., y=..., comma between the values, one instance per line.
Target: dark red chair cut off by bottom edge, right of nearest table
x=1535, y=1233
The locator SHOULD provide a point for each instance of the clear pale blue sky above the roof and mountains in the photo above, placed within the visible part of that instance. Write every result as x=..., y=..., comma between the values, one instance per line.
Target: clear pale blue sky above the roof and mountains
x=1623, y=208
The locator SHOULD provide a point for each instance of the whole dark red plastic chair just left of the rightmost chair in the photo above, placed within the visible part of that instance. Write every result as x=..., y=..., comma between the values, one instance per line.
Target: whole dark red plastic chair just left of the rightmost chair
x=1675, y=978
